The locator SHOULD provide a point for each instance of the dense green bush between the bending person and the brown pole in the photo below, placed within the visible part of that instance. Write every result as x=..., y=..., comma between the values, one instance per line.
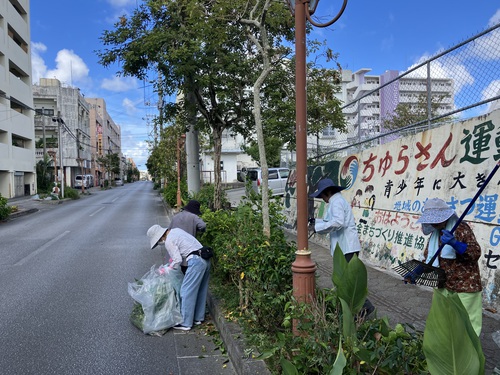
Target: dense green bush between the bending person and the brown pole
x=249, y=265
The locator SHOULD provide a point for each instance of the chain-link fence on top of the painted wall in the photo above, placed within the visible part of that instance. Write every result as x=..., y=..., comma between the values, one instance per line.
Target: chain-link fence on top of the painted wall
x=459, y=83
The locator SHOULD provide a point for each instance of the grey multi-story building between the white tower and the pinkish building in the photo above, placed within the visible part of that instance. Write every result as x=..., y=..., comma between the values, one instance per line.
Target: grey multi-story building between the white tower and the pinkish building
x=62, y=124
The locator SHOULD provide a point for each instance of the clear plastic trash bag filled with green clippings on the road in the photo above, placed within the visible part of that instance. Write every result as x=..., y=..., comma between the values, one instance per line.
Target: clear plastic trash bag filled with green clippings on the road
x=158, y=294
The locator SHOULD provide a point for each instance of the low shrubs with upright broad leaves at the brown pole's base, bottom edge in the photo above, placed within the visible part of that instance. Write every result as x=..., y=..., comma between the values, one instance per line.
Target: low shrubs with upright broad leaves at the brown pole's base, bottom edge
x=335, y=339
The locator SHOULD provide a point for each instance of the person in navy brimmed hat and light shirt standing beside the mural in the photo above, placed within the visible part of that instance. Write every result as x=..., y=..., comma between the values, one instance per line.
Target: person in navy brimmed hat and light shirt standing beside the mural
x=339, y=222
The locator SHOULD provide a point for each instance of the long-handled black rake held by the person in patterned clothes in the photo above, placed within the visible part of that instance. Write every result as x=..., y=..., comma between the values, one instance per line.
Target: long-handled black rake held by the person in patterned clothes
x=417, y=272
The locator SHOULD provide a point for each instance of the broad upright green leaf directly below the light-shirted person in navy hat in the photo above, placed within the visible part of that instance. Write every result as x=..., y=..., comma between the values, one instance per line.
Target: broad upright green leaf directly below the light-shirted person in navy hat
x=350, y=279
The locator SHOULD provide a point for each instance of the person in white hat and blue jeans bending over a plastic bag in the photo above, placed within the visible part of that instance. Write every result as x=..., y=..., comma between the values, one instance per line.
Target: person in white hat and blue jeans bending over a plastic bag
x=181, y=246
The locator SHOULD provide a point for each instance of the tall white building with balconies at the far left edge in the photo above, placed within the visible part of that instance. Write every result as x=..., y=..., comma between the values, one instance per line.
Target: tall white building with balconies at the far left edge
x=17, y=145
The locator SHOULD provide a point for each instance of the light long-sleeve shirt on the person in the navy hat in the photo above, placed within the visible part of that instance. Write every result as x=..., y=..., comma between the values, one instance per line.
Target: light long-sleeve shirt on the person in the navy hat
x=339, y=222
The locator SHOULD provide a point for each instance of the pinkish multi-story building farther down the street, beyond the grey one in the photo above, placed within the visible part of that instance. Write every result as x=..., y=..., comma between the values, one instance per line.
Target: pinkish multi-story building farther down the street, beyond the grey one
x=105, y=138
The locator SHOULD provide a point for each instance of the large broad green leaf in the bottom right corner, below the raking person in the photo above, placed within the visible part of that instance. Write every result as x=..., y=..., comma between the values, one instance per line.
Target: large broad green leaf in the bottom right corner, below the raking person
x=450, y=344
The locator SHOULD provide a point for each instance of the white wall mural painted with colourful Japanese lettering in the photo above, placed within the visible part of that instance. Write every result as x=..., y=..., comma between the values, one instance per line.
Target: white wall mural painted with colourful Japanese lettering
x=388, y=186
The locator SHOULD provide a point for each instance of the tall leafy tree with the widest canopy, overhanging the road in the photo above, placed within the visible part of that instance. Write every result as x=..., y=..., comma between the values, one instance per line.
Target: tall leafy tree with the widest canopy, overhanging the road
x=196, y=54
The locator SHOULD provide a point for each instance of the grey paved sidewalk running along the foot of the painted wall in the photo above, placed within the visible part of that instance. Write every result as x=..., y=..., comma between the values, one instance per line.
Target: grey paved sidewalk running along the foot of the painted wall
x=405, y=303
